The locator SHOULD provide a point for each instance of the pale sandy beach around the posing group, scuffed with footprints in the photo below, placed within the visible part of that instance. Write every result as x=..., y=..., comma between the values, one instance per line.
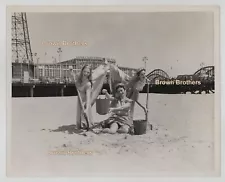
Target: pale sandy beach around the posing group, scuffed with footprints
x=181, y=142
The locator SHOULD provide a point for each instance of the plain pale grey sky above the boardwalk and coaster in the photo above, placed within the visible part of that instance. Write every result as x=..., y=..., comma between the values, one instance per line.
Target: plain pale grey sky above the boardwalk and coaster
x=175, y=42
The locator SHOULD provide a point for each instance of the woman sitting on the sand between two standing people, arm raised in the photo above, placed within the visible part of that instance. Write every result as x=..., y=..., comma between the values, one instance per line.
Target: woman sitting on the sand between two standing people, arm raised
x=119, y=121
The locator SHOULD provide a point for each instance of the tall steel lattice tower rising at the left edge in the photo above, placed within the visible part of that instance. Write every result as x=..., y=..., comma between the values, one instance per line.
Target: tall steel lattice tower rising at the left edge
x=21, y=48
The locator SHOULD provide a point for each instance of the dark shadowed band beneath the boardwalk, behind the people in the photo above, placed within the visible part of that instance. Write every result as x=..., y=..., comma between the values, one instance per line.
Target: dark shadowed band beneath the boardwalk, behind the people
x=68, y=89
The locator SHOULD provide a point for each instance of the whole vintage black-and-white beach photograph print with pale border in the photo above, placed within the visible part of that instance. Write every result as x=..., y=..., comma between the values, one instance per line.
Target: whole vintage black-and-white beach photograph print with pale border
x=112, y=92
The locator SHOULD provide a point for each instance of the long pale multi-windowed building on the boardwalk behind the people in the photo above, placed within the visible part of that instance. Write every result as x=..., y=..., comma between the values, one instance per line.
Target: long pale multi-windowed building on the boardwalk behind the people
x=60, y=71
